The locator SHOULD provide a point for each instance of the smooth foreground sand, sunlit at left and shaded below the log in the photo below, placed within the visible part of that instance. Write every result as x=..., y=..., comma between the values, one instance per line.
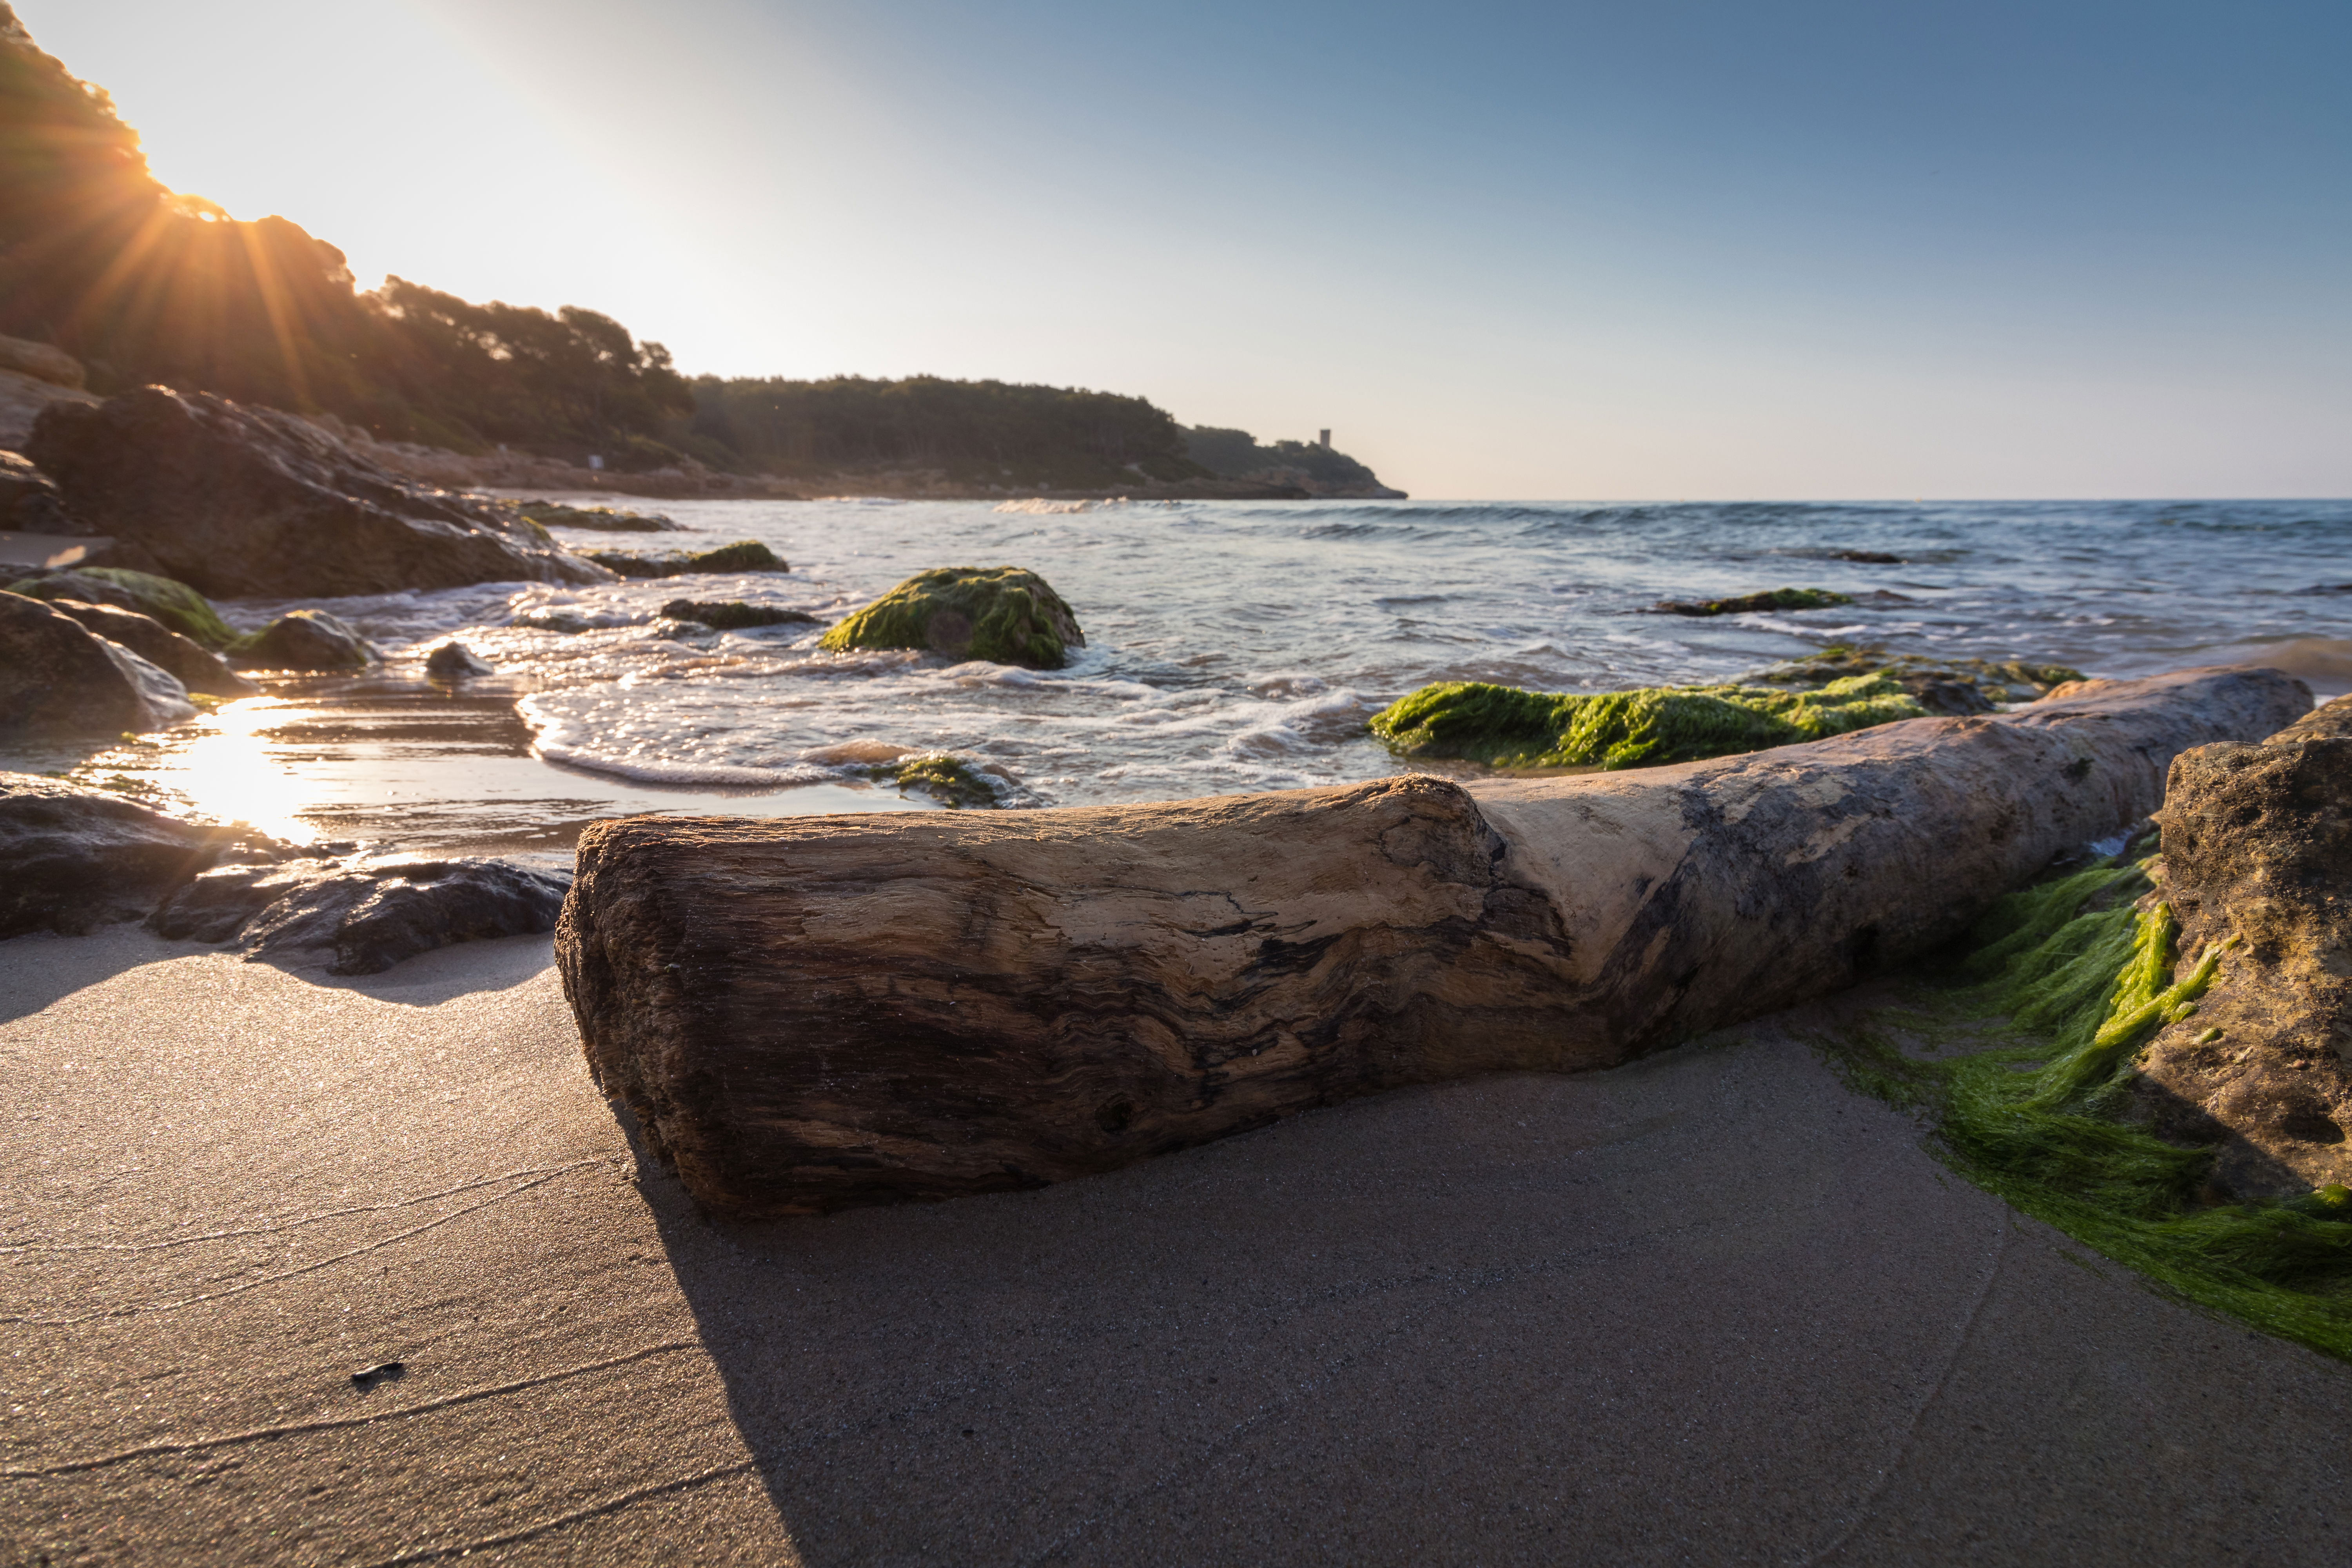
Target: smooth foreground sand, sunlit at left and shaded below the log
x=1709, y=1308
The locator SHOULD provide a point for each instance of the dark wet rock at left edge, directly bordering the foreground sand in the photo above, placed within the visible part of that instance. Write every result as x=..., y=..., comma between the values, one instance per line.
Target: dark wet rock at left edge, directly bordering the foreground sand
x=74, y=859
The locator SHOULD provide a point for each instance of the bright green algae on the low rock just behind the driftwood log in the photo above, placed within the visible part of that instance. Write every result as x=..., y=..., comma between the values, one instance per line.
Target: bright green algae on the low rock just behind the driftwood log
x=1629, y=730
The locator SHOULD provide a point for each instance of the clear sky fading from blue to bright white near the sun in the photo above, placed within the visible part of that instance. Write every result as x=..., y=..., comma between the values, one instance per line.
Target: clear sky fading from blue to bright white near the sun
x=1633, y=250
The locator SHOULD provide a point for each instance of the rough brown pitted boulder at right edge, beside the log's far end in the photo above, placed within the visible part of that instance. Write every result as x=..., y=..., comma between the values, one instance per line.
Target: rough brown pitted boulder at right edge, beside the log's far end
x=2259, y=862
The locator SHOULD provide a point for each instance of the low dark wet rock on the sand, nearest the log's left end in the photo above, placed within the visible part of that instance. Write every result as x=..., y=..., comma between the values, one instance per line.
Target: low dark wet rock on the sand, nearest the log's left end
x=368, y=918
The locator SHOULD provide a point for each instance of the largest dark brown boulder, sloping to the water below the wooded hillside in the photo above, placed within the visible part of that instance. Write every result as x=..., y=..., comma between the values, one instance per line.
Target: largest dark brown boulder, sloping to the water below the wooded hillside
x=248, y=502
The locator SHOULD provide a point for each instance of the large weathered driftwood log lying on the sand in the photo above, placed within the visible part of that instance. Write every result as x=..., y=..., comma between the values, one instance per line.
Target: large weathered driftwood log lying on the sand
x=846, y=1010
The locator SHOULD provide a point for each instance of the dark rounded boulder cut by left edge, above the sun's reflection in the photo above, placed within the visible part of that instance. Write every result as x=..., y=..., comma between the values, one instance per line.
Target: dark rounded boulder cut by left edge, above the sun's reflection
x=62, y=678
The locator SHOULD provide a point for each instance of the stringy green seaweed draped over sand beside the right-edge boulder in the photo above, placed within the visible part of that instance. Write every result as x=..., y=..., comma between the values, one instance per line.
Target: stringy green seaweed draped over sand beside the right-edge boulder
x=2054, y=993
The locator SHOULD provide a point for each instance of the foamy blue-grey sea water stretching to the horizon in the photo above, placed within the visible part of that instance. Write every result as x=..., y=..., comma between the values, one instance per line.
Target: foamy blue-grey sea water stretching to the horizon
x=1245, y=645
